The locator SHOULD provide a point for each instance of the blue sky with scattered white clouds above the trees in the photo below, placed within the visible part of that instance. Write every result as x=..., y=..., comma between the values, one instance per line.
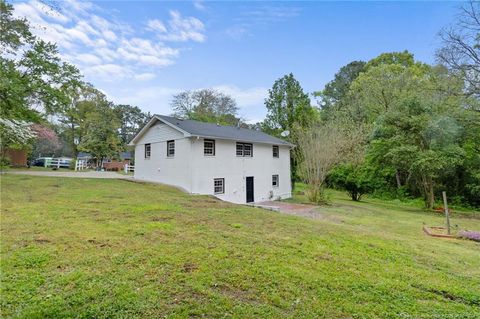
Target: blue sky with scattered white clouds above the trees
x=143, y=52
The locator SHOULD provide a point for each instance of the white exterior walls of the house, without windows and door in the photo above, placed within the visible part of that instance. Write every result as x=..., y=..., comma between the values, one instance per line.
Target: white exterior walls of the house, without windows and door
x=191, y=170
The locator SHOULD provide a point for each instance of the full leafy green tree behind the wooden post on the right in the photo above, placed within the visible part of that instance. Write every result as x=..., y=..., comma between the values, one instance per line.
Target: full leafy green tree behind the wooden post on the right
x=418, y=135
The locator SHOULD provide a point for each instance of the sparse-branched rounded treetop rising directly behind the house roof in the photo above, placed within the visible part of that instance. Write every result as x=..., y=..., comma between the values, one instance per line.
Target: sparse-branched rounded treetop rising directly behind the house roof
x=206, y=105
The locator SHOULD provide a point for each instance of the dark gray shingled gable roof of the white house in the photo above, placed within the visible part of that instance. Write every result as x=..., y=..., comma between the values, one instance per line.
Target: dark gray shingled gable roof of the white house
x=212, y=130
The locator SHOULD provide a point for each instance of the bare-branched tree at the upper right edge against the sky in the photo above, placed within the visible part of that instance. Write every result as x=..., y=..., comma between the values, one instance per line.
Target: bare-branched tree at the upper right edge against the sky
x=461, y=48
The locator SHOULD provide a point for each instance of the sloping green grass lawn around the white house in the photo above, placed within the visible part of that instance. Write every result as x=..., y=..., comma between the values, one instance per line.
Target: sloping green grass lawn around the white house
x=110, y=248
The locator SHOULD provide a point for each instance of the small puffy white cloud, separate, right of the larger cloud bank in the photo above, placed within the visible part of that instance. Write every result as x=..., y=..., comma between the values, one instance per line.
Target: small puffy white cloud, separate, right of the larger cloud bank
x=179, y=29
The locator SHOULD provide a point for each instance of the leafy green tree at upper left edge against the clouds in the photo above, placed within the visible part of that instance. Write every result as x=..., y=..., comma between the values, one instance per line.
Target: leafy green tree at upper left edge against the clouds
x=32, y=76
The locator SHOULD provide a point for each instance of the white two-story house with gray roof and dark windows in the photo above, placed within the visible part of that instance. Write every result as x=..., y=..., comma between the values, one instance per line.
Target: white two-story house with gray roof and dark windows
x=234, y=164
